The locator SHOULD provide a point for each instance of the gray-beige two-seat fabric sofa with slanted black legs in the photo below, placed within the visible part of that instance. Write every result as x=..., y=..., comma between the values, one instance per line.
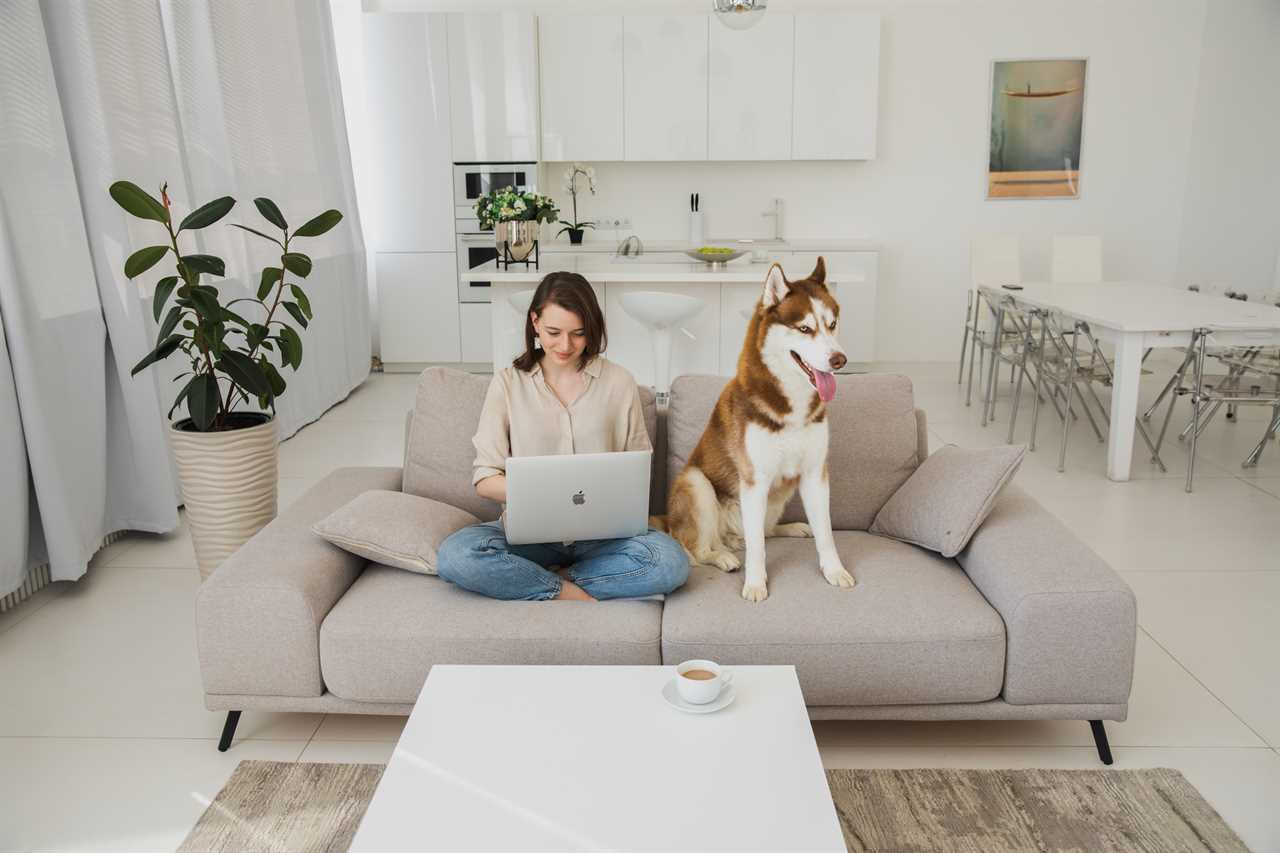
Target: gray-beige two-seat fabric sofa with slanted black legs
x=1027, y=623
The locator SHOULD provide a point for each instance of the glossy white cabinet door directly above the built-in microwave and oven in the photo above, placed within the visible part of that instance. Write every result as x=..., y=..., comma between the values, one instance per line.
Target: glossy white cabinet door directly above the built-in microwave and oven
x=493, y=86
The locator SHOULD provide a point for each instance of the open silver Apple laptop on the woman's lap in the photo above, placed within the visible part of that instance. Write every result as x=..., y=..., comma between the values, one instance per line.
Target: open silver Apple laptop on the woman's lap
x=578, y=496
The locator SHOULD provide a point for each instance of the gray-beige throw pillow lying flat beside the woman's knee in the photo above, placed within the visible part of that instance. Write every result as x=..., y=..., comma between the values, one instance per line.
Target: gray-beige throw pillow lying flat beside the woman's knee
x=394, y=528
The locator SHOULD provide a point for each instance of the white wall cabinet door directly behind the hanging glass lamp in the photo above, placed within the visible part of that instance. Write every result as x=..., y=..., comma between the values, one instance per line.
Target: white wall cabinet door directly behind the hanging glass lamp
x=751, y=90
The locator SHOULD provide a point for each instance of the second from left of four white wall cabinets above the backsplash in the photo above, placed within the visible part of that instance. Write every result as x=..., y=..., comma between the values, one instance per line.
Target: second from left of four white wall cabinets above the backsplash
x=665, y=88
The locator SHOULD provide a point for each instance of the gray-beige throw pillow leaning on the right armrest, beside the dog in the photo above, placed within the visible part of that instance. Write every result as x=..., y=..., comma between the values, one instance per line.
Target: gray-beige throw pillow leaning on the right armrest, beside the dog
x=949, y=496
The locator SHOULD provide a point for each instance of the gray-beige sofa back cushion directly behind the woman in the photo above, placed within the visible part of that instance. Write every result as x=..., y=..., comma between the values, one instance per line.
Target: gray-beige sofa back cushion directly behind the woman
x=438, y=451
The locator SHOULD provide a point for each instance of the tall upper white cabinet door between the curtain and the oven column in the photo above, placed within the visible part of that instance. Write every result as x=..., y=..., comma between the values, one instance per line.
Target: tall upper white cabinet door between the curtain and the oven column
x=410, y=147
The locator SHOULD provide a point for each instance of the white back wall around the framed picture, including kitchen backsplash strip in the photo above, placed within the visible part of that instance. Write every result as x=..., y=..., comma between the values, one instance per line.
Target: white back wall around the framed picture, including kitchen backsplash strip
x=924, y=197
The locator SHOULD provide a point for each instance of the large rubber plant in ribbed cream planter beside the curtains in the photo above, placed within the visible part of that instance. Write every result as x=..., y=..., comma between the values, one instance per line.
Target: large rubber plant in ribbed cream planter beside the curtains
x=226, y=449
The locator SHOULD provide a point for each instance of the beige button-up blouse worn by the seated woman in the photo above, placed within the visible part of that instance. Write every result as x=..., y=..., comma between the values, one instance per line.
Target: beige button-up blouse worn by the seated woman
x=523, y=417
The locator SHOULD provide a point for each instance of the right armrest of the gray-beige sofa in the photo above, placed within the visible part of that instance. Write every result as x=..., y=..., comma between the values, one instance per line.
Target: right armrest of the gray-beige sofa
x=1069, y=619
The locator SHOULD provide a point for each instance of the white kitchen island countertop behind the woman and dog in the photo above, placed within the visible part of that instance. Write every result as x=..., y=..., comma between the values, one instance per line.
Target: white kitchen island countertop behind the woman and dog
x=597, y=270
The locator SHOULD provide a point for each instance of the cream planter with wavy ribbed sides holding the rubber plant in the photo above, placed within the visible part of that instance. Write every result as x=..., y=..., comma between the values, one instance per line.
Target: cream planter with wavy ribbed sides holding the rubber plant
x=230, y=487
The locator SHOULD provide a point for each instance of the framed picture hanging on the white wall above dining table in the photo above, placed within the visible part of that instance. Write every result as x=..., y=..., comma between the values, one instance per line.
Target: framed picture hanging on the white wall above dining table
x=1037, y=124
